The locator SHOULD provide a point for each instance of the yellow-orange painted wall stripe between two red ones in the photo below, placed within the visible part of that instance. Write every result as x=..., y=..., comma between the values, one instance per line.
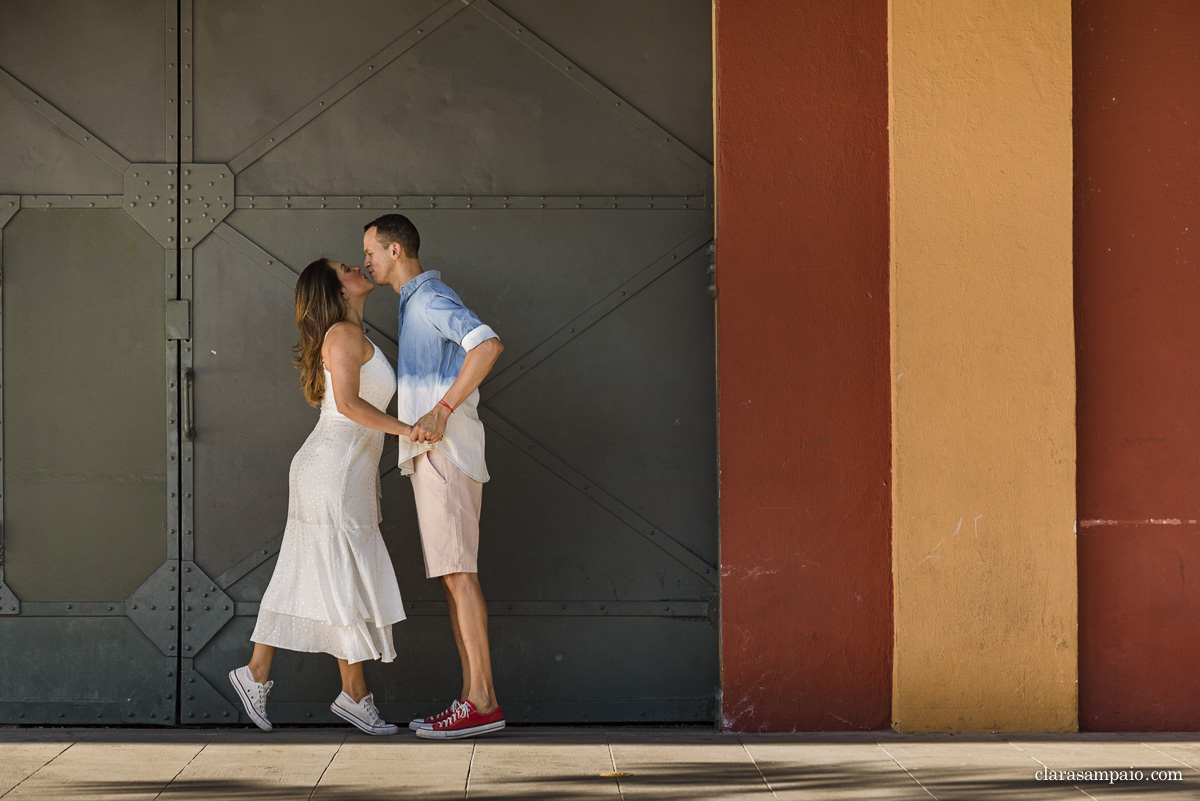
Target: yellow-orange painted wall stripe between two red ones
x=983, y=366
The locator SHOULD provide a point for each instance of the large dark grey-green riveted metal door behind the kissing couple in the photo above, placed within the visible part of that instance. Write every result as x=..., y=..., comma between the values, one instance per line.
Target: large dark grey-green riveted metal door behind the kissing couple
x=163, y=189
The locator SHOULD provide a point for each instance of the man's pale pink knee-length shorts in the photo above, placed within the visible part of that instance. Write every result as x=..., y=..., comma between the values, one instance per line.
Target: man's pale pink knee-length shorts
x=448, y=505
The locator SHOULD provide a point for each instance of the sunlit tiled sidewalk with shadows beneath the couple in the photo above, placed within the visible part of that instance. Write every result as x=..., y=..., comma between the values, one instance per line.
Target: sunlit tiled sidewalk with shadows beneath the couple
x=572, y=764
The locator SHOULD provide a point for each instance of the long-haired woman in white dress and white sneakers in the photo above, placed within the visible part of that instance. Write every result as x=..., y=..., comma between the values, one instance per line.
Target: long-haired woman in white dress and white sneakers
x=334, y=589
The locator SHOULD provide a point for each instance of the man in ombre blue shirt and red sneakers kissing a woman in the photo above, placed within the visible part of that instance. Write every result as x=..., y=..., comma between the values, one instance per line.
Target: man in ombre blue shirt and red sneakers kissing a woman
x=446, y=353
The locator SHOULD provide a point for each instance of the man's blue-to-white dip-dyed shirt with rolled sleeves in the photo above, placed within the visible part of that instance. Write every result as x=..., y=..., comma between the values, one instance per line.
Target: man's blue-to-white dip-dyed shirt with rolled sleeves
x=436, y=333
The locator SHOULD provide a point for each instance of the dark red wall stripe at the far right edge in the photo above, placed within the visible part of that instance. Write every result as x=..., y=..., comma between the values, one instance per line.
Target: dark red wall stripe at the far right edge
x=1137, y=83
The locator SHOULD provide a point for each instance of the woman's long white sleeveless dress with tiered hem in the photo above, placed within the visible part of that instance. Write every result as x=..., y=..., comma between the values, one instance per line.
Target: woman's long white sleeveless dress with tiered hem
x=334, y=589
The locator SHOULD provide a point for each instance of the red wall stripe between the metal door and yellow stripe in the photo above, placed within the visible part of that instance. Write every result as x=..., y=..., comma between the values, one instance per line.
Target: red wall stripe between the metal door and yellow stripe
x=805, y=398
